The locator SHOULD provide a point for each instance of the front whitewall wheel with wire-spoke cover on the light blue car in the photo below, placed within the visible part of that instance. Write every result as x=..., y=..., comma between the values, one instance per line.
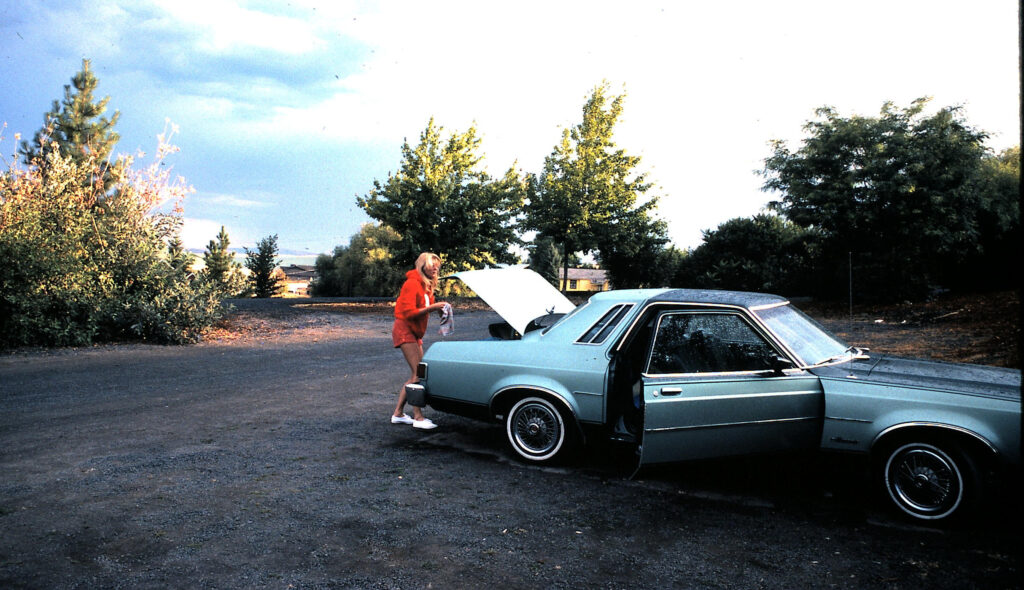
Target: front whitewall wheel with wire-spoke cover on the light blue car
x=929, y=481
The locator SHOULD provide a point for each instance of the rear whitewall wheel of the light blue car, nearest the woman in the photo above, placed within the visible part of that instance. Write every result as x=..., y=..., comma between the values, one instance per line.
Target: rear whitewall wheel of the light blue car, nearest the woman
x=536, y=430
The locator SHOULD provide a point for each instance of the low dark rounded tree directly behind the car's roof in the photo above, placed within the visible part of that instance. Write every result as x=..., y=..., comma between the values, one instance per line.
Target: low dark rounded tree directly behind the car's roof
x=762, y=254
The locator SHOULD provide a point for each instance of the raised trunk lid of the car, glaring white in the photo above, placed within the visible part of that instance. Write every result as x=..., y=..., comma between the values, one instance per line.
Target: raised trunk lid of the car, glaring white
x=518, y=294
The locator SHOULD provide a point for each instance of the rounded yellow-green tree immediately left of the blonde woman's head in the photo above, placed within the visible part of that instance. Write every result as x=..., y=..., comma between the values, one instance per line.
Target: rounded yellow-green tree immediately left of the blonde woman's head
x=364, y=269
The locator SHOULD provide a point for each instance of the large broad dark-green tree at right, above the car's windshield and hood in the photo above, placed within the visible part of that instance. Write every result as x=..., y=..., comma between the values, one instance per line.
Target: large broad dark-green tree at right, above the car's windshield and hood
x=899, y=192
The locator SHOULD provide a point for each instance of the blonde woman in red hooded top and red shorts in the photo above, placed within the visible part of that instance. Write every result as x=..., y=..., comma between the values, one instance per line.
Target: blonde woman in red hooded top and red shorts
x=411, y=314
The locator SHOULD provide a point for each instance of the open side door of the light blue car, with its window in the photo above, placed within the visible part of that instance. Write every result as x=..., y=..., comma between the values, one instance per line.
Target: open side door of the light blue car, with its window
x=714, y=387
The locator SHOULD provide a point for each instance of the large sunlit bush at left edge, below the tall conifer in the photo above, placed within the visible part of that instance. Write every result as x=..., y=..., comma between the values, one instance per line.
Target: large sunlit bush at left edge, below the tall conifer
x=80, y=264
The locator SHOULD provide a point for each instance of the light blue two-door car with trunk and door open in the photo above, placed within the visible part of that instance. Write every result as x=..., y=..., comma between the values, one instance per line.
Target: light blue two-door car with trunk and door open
x=686, y=374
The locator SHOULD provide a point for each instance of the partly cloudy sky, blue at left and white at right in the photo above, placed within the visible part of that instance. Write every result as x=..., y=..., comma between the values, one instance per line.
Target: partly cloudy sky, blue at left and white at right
x=286, y=112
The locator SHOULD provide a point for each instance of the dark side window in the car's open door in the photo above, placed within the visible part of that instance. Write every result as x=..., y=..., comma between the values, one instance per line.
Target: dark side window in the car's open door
x=699, y=343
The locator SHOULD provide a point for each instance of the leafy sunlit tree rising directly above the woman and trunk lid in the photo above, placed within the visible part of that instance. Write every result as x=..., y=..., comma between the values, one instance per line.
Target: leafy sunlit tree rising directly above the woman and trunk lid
x=442, y=201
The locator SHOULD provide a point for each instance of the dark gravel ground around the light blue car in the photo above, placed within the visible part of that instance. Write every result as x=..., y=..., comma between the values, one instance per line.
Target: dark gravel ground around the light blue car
x=264, y=458
